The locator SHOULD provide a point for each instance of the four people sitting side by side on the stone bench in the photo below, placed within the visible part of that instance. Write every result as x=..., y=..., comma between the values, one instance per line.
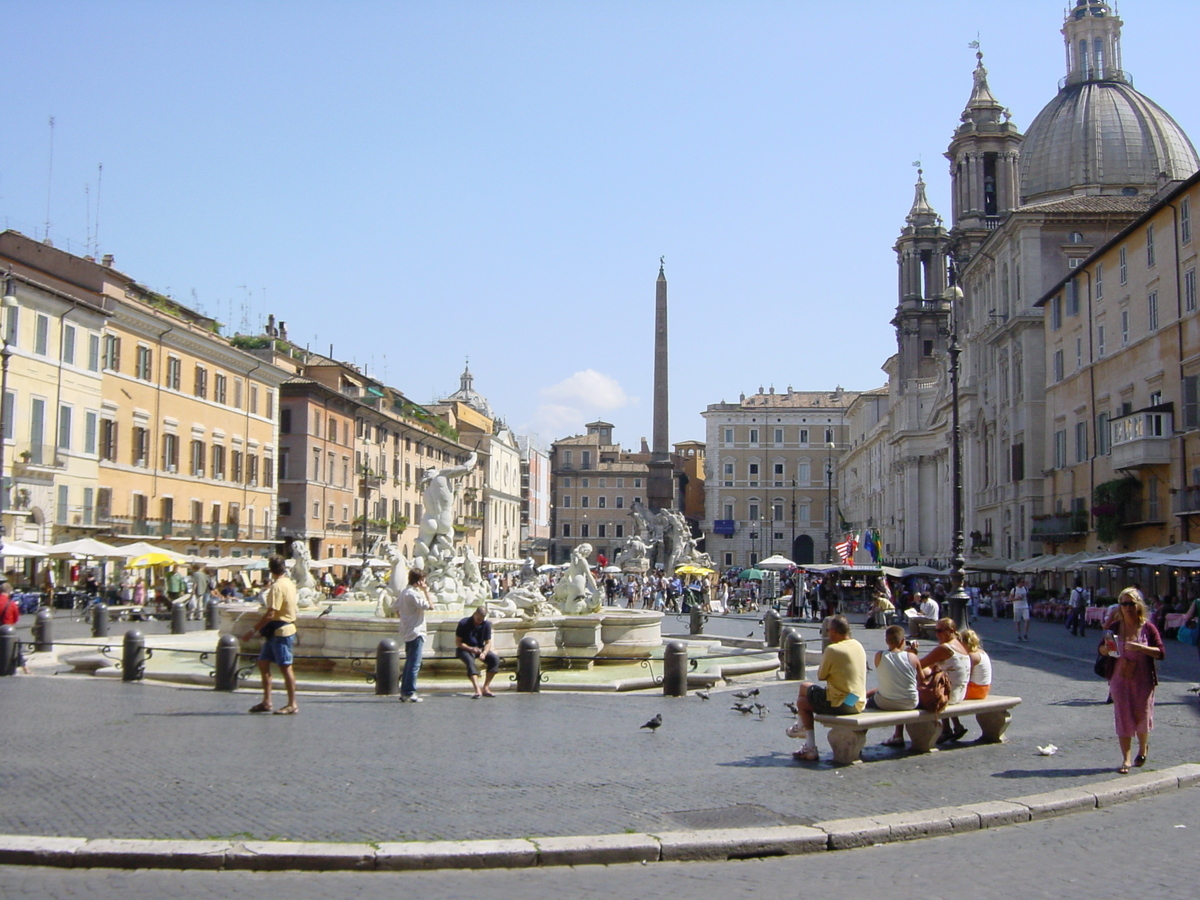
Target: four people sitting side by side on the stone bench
x=902, y=673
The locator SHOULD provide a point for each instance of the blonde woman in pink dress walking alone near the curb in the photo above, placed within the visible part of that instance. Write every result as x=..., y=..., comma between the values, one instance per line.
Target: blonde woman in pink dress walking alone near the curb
x=1135, y=677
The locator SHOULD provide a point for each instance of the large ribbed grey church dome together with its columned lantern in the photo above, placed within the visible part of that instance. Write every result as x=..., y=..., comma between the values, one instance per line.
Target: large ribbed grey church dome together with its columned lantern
x=1100, y=135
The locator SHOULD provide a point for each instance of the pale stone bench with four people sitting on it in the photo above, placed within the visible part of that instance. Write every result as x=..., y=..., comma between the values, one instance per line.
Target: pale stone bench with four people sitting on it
x=848, y=734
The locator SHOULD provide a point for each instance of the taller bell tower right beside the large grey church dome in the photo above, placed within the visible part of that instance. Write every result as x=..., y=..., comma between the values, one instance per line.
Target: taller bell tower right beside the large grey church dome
x=985, y=173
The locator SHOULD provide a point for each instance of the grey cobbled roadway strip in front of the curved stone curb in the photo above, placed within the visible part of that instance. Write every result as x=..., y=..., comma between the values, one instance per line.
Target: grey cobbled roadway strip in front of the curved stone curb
x=1069, y=857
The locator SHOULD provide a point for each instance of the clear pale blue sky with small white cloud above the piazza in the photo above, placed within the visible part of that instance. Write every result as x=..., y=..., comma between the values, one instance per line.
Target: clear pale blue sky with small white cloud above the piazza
x=423, y=184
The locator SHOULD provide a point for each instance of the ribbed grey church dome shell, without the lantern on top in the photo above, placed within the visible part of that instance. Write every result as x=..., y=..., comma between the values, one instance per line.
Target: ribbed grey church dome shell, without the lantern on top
x=1102, y=137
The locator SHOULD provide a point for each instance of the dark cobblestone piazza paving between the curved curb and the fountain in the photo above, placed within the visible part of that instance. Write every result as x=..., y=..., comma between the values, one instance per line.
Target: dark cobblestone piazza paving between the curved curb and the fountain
x=94, y=758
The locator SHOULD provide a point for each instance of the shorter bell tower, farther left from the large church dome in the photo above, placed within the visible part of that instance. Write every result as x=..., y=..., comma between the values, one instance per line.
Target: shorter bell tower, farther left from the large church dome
x=922, y=320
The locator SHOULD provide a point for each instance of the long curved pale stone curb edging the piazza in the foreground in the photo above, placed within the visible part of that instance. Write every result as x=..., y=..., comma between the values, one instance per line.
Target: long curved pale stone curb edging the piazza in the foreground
x=587, y=850
